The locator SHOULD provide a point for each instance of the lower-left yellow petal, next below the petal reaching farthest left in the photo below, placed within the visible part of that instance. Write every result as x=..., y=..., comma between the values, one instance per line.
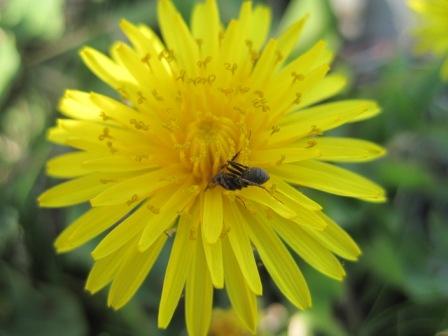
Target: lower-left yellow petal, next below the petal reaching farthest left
x=88, y=226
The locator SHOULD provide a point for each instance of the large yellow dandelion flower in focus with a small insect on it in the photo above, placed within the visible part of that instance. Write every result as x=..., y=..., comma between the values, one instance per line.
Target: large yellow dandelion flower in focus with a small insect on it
x=147, y=162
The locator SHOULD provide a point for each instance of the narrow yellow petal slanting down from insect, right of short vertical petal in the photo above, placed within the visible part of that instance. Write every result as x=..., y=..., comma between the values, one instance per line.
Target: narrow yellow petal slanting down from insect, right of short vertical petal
x=240, y=243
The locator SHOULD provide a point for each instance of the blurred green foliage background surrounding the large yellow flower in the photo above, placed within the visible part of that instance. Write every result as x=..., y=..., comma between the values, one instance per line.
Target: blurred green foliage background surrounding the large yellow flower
x=399, y=286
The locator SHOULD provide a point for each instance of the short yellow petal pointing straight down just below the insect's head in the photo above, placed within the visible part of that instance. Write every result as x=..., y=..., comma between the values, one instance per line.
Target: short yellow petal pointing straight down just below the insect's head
x=212, y=215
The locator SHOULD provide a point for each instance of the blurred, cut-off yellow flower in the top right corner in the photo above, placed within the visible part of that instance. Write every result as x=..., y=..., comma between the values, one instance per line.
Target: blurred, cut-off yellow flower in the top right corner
x=432, y=32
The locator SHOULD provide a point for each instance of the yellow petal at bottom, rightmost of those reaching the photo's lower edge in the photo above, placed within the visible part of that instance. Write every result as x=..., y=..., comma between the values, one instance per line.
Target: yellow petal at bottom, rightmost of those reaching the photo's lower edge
x=243, y=300
